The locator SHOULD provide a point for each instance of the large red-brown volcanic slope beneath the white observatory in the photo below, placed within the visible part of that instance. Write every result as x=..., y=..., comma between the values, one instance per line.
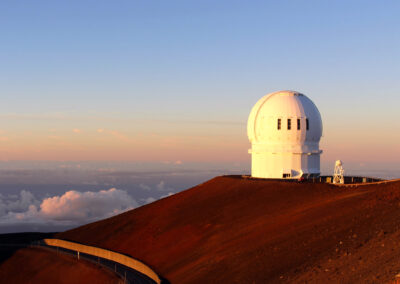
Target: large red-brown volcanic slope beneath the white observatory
x=232, y=229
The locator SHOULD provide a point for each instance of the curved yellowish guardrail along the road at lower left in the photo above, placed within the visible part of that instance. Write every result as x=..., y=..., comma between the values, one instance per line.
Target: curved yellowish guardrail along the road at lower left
x=107, y=254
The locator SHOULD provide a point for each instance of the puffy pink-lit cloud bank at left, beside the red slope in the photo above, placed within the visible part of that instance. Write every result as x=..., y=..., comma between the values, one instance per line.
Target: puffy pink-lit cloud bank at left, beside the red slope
x=73, y=207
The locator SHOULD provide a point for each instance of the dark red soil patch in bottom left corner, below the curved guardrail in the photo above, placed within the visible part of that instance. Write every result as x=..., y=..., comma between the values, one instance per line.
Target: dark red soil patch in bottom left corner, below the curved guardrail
x=33, y=265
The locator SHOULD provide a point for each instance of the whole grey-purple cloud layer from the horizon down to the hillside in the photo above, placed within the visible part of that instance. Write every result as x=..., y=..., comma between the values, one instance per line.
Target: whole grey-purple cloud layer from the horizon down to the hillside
x=59, y=196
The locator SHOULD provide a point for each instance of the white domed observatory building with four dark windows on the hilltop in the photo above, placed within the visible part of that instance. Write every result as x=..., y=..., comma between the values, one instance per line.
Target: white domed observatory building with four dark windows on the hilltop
x=284, y=129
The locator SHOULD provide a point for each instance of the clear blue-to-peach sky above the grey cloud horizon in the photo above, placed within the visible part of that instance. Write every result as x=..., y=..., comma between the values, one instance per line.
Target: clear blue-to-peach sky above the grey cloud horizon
x=191, y=70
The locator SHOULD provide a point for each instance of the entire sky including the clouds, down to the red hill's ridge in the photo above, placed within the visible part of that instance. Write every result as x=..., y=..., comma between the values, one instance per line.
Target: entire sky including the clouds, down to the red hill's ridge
x=131, y=101
